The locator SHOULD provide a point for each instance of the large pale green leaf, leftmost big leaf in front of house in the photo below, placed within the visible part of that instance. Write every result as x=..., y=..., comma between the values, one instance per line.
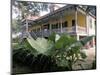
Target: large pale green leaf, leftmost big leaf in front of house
x=42, y=45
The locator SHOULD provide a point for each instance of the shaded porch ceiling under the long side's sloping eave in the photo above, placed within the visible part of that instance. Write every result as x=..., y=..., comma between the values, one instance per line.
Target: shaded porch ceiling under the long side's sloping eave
x=53, y=17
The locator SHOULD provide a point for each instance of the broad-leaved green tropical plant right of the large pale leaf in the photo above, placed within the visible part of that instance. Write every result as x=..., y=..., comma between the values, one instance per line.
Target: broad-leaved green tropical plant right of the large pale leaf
x=68, y=50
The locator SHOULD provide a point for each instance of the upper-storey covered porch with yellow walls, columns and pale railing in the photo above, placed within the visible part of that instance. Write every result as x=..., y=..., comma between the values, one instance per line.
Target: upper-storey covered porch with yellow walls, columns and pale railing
x=70, y=21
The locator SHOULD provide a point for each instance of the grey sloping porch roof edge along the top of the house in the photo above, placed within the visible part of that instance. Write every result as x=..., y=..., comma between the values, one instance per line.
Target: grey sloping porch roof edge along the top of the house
x=56, y=13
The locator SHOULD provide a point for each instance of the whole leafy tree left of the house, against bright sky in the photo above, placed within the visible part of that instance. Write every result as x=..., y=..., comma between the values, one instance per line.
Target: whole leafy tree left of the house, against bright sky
x=23, y=9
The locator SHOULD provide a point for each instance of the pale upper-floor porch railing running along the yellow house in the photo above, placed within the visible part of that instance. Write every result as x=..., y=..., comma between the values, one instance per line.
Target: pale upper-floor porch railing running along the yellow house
x=69, y=30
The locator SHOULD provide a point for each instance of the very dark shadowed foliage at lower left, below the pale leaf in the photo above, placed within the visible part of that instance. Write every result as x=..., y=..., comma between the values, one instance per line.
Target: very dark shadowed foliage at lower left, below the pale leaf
x=39, y=63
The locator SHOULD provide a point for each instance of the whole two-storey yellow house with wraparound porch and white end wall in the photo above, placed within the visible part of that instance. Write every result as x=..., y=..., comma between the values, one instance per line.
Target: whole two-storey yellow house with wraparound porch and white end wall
x=71, y=19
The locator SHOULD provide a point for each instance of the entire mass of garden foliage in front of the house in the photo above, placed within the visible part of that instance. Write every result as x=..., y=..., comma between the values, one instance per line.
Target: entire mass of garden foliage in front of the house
x=64, y=51
